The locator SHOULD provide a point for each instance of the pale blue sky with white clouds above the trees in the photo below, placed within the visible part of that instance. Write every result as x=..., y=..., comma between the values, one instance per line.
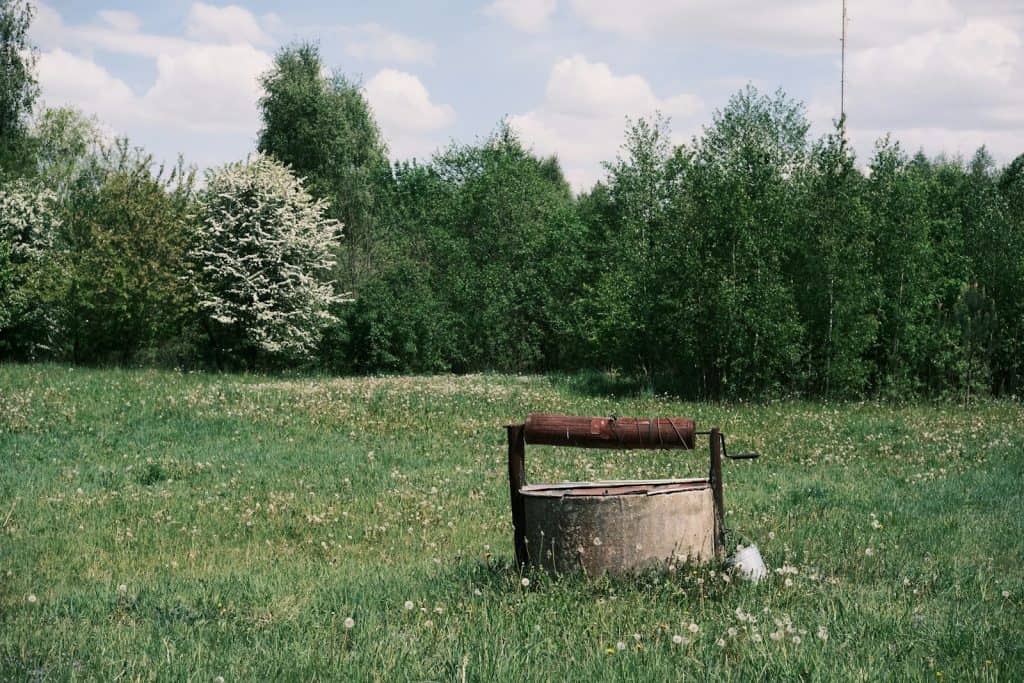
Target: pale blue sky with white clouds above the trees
x=182, y=77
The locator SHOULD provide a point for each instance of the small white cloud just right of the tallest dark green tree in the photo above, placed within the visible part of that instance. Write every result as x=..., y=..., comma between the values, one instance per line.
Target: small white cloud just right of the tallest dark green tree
x=407, y=115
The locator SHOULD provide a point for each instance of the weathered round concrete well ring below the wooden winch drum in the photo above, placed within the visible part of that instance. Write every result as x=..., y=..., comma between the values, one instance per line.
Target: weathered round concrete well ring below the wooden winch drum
x=577, y=527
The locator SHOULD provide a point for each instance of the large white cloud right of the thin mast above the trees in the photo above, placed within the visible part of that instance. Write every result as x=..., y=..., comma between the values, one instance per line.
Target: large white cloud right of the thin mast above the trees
x=944, y=91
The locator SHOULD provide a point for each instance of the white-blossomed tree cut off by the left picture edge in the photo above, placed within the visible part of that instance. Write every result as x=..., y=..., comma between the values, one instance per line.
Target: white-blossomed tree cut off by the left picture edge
x=28, y=227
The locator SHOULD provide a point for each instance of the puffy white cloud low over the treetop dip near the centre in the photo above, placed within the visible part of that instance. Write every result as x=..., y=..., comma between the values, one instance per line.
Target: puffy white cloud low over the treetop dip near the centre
x=585, y=111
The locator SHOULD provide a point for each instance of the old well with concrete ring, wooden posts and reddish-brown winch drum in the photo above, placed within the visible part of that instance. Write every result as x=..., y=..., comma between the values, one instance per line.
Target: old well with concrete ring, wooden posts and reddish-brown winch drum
x=615, y=527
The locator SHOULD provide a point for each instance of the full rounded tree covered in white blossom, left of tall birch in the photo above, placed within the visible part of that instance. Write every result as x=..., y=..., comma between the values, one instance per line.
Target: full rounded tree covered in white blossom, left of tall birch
x=262, y=258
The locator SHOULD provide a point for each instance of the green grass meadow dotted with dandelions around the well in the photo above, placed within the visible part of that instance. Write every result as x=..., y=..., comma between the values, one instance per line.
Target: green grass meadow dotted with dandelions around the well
x=168, y=527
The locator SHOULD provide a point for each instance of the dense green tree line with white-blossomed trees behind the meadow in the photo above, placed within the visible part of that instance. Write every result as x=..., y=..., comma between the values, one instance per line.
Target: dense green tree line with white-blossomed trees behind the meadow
x=752, y=262
